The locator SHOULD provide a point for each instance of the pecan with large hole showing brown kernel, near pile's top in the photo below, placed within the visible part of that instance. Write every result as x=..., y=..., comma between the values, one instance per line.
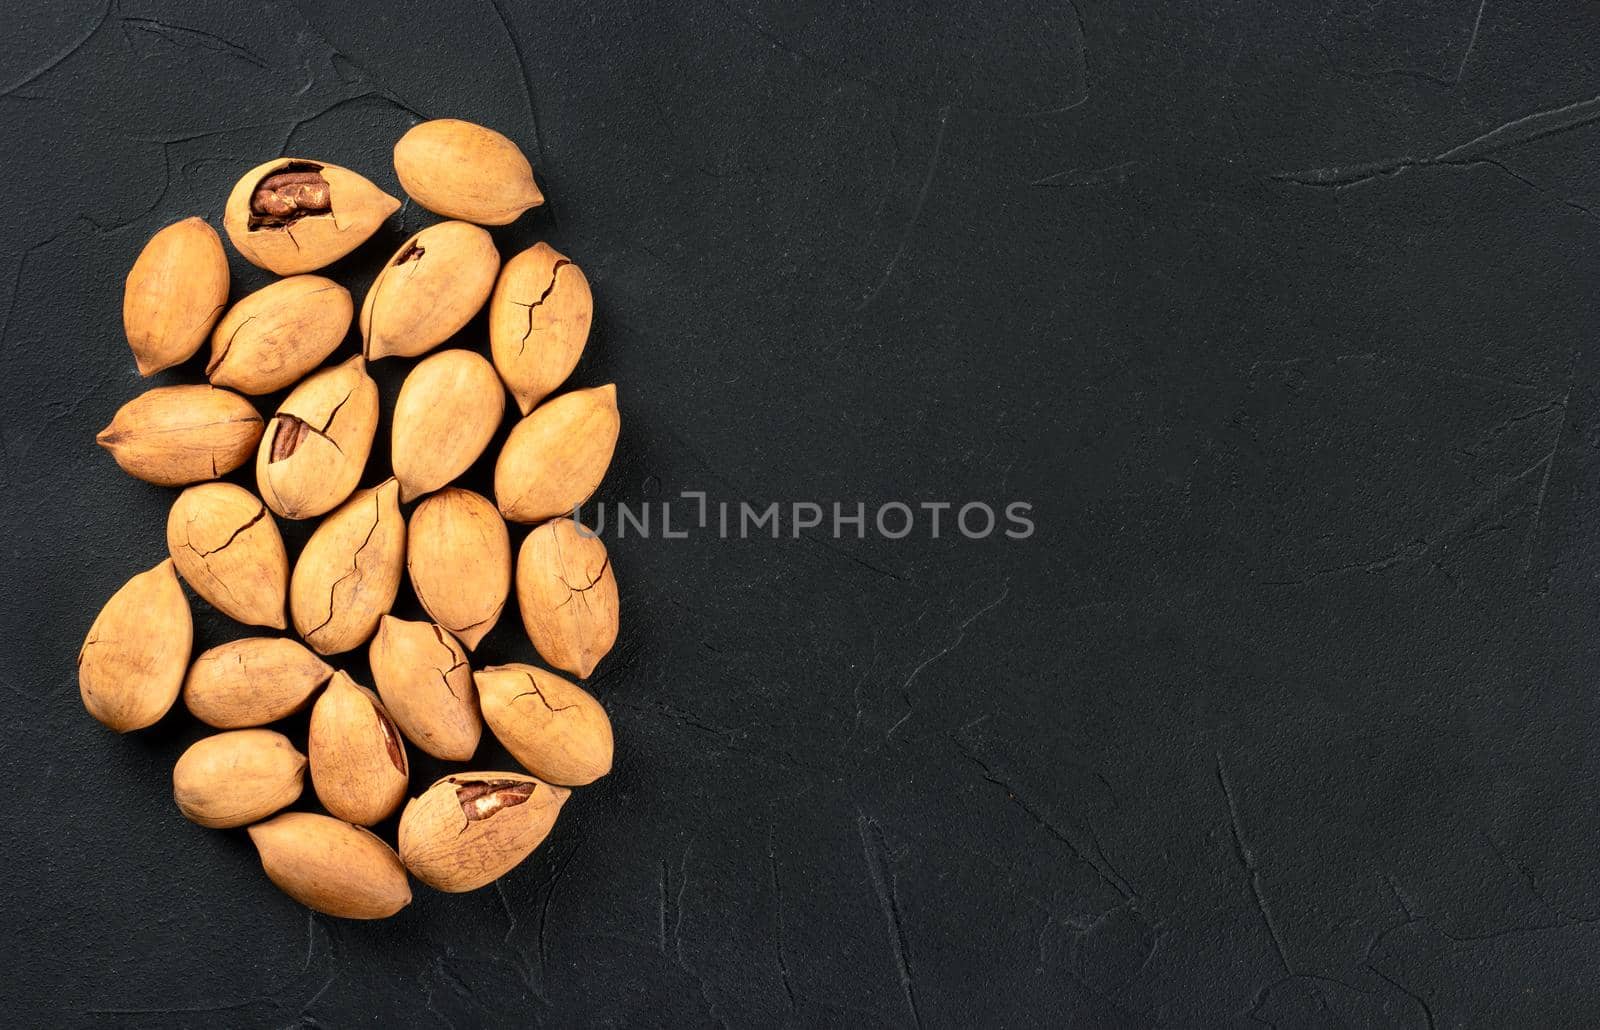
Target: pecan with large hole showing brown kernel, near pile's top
x=294, y=215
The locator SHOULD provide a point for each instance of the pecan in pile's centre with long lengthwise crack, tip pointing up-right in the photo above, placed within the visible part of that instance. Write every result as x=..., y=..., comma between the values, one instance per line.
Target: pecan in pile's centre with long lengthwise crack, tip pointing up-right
x=350, y=572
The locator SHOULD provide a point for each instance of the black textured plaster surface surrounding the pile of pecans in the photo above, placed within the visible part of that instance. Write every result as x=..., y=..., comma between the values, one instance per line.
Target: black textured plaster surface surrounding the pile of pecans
x=1279, y=314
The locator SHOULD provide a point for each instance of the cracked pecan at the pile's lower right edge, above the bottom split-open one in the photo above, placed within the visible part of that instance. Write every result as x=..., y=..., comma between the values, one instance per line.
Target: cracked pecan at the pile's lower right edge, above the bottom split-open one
x=554, y=729
